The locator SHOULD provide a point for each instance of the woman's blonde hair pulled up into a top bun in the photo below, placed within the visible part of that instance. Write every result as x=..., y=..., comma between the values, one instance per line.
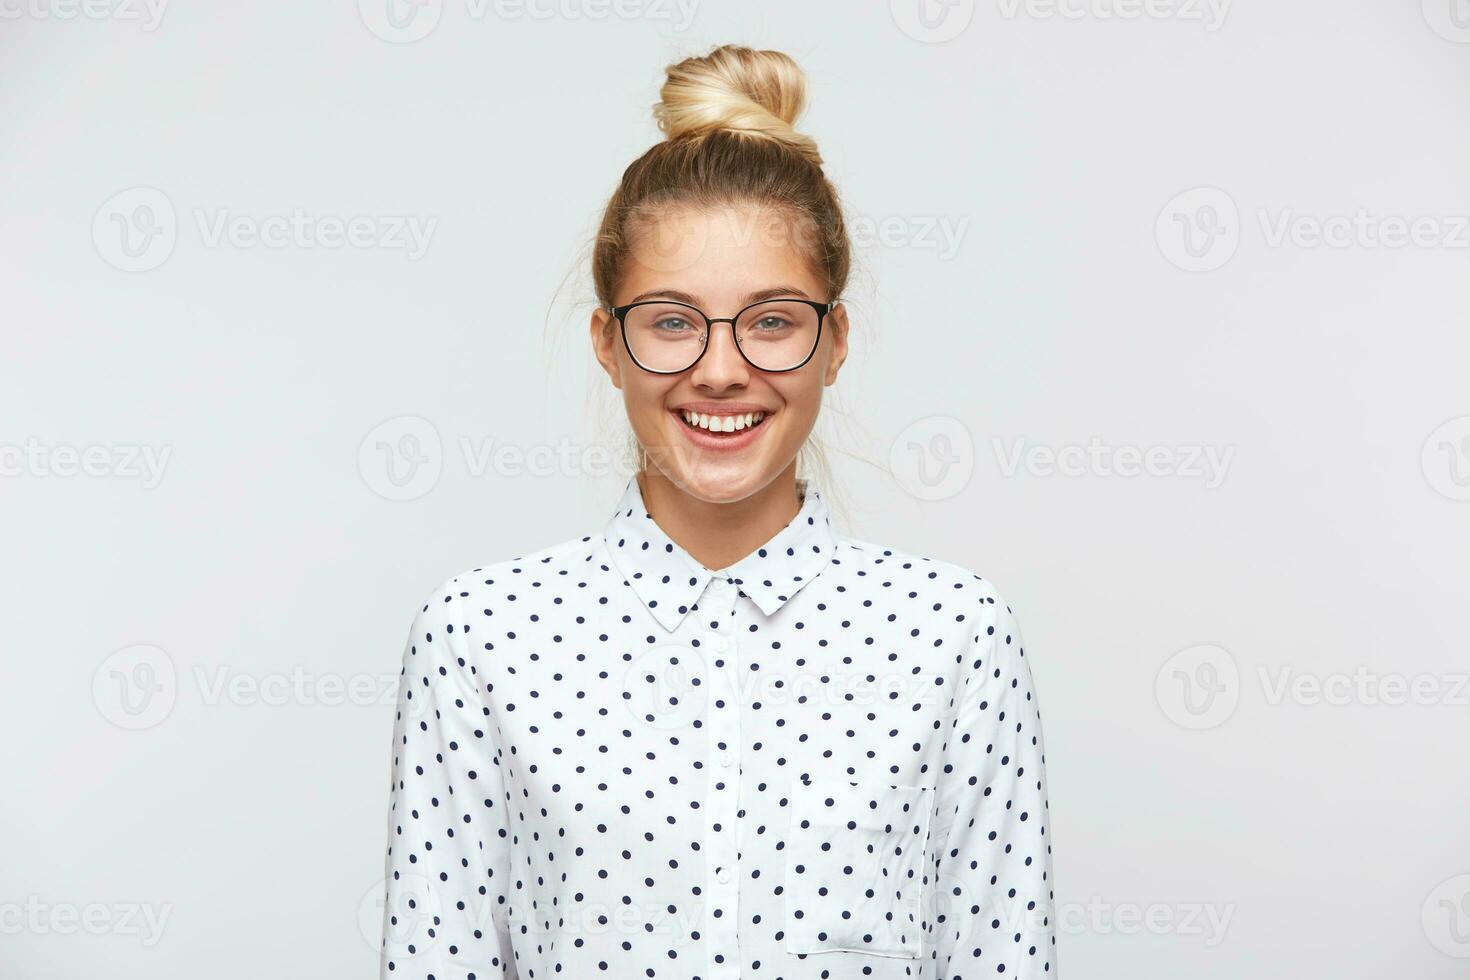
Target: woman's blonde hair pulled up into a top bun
x=730, y=140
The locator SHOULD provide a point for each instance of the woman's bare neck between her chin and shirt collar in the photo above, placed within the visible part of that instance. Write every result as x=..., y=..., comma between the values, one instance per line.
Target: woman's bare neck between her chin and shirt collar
x=721, y=534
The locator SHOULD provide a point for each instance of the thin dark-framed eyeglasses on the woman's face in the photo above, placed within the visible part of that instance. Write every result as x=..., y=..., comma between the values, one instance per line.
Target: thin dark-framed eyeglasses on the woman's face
x=772, y=336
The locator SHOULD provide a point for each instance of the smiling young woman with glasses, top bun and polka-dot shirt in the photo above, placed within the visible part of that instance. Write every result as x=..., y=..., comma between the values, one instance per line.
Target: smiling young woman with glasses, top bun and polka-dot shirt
x=718, y=738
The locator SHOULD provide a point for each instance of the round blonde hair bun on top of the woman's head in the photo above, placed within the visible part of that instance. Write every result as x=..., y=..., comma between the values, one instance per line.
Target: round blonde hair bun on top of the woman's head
x=740, y=90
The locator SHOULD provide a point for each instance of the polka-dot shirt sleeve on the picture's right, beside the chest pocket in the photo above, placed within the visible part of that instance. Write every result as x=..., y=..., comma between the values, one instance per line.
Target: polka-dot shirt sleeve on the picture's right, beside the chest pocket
x=996, y=915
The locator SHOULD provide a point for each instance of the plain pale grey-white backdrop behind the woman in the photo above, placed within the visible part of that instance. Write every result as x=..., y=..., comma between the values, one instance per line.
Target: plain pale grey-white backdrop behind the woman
x=1022, y=180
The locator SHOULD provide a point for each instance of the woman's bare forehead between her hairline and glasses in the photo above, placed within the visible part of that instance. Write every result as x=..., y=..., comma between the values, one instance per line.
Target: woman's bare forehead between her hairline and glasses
x=720, y=255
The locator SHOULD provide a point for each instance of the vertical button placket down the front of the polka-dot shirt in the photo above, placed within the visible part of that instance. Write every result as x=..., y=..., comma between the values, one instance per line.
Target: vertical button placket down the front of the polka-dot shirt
x=723, y=800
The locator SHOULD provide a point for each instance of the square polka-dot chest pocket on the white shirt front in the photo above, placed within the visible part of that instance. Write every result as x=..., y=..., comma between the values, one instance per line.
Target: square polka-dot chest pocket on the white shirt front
x=855, y=868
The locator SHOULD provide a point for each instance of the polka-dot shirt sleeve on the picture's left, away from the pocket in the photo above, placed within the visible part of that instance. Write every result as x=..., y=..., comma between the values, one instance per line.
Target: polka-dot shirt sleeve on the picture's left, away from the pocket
x=449, y=860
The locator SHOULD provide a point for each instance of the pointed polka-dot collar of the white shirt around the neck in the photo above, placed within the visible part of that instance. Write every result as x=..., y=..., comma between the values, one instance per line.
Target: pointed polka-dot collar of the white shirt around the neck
x=670, y=581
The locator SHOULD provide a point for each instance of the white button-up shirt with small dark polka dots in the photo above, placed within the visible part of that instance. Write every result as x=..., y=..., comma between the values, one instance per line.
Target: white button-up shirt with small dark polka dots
x=824, y=762
